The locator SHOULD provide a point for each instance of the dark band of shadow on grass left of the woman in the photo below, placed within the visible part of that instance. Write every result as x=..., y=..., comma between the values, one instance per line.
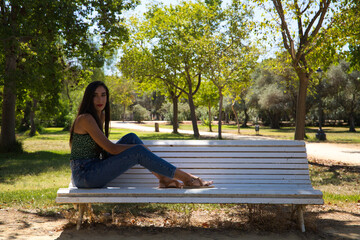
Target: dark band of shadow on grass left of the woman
x=14, y=165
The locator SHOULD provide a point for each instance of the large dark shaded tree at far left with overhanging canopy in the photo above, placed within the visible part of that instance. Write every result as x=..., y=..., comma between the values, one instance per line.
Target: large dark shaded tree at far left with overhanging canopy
x=67, y=23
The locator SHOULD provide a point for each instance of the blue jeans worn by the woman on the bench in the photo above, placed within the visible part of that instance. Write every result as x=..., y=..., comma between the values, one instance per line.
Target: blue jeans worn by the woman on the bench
x=96, y=173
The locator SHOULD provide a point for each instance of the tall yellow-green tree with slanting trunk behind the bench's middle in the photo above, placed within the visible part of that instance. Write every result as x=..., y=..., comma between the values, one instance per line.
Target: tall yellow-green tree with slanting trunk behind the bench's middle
x=181, y=32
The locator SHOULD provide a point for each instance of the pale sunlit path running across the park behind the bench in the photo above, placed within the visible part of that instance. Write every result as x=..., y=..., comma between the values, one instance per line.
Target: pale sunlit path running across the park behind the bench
x=344, y=153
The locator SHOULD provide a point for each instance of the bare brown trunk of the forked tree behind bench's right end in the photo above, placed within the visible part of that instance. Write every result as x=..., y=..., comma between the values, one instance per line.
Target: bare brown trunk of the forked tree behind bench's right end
x=301, y=106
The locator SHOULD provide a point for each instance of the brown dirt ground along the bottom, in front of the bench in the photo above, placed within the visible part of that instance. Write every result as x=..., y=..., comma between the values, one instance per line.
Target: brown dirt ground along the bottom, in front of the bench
x=322, y=222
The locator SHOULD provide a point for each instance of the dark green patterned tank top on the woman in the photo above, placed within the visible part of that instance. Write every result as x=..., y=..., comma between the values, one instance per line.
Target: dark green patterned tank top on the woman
x=83, y=147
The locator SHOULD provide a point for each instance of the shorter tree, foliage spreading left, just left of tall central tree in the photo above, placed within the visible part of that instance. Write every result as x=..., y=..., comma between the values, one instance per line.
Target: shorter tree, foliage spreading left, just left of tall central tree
x=144, y=65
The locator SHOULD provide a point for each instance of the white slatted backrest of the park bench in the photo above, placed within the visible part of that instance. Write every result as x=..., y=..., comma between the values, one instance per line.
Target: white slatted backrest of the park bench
x=230, y=163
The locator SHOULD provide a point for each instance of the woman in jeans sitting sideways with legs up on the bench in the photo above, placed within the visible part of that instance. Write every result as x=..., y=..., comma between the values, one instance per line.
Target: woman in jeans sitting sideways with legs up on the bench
x=95, y=160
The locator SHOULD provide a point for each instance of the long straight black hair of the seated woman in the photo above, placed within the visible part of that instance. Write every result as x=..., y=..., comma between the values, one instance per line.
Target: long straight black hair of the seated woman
x=87, y=106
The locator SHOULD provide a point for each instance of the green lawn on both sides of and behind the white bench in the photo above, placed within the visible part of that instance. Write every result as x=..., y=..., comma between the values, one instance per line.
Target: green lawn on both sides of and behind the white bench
x=30, y=180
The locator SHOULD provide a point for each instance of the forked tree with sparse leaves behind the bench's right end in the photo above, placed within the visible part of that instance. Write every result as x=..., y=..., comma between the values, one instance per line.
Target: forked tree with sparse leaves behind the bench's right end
x=309, y=18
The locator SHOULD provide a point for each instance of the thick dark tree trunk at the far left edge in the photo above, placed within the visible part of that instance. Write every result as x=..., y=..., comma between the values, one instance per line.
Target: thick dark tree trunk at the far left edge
x=8, y=138
